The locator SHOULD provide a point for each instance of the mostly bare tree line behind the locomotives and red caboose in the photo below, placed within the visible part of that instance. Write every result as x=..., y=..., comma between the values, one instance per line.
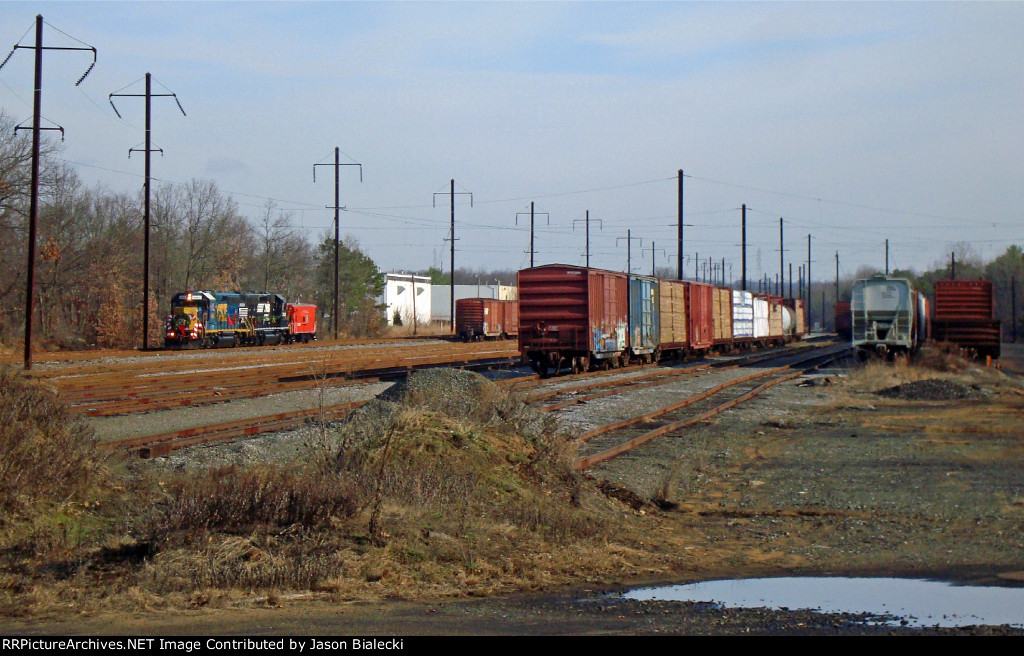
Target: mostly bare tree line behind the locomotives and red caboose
x=90, y=246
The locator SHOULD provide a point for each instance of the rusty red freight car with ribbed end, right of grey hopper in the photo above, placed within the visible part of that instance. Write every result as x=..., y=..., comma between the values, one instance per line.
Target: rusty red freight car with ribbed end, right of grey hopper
x=965, y=316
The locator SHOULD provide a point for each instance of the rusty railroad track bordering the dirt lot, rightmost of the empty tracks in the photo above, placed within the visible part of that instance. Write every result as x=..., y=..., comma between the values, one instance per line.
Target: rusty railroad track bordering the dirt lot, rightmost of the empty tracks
x=615, y=440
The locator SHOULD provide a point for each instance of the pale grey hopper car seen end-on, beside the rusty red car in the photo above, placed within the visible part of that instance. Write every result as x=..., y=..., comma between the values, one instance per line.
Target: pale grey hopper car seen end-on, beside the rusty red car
x=886, y=319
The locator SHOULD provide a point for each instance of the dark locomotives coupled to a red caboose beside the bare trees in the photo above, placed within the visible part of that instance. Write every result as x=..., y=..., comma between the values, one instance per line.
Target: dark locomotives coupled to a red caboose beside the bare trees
x=212, y=320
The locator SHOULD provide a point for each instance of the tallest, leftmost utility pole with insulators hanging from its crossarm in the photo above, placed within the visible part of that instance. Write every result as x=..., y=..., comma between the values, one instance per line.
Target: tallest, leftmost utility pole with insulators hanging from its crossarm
x=36, y=140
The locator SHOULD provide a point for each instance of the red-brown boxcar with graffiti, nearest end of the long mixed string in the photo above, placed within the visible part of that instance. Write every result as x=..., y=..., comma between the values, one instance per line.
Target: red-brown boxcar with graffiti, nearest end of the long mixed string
x=573, y=317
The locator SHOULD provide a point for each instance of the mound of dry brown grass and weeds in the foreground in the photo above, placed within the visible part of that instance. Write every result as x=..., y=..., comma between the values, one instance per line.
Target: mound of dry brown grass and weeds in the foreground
x=446, y=492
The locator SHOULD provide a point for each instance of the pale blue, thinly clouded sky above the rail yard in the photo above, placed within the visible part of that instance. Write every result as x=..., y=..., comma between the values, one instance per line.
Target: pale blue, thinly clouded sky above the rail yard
x=855, y=122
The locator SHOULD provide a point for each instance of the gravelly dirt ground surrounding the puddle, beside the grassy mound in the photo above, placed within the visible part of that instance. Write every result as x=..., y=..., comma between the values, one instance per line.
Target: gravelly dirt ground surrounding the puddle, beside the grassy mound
x=823, y=476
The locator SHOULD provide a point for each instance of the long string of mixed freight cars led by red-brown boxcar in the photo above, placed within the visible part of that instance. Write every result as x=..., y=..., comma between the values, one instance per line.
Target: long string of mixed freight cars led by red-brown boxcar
x=583, y=319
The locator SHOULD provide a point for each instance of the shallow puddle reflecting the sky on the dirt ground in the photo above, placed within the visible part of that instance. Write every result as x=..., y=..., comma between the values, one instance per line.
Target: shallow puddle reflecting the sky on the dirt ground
x=920, y=603
